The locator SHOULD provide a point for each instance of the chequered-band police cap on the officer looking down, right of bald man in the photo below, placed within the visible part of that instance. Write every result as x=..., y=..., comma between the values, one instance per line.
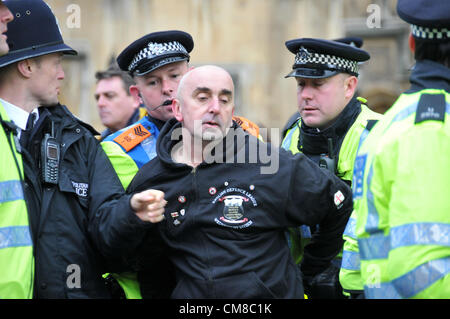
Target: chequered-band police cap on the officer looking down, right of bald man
x=318, y=58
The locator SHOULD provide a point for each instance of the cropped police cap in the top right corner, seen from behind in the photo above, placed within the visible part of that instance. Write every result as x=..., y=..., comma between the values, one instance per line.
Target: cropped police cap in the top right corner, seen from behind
x=429, y=20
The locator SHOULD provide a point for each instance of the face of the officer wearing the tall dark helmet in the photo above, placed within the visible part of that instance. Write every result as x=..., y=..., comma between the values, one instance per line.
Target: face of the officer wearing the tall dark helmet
x=46, y=79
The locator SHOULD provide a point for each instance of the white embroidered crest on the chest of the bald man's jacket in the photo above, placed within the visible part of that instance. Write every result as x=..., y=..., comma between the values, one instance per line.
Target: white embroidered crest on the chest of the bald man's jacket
x=233, y=211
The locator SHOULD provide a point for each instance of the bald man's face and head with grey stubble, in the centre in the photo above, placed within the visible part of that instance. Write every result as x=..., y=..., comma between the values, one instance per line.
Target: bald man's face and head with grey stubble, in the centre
x=206, y=104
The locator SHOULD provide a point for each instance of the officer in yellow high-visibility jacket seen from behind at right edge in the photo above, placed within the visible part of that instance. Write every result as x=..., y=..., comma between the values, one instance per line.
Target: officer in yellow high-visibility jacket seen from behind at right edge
x=402, y=172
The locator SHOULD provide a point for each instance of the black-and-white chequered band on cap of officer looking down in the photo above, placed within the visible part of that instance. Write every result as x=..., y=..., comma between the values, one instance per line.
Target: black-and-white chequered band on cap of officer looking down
x=303, y=57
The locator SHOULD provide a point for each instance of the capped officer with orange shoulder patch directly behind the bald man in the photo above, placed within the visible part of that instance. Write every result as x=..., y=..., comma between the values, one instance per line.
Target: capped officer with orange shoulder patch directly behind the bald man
x=157, y=61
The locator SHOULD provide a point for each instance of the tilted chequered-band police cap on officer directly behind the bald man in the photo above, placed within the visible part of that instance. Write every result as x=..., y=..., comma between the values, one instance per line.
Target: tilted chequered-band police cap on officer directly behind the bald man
x=155, y=50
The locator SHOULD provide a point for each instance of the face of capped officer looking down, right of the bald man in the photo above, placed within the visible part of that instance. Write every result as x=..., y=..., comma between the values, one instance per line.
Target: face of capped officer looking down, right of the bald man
x=320, y=101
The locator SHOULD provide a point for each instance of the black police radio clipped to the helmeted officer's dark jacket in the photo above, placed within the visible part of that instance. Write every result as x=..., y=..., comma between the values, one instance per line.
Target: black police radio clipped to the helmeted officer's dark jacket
x=50, y=157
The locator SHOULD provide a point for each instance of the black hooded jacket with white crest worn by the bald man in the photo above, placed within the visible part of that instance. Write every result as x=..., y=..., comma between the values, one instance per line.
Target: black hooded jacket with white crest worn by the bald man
x=225, y=222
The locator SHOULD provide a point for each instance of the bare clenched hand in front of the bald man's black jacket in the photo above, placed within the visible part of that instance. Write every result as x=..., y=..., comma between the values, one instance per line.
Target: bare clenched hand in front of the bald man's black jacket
x=149, y=205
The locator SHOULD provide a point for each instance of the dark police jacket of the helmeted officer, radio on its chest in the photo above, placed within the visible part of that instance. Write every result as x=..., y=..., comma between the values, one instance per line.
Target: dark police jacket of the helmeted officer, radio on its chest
x=83, y=218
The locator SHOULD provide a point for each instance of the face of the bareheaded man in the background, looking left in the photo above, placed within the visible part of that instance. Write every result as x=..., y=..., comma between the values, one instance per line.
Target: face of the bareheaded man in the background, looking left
x=115, y=105
